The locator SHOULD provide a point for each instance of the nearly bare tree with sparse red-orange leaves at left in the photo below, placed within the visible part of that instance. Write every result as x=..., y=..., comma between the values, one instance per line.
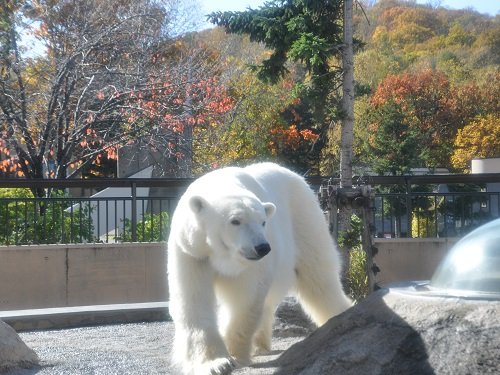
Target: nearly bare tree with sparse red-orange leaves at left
x=113, y=73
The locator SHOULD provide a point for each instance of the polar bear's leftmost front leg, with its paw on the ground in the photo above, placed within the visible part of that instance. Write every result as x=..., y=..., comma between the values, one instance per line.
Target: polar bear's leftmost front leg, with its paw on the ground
x=198, y=347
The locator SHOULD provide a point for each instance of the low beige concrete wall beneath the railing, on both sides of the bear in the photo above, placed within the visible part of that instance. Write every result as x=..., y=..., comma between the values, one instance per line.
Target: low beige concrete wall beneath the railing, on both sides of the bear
x=33, y=277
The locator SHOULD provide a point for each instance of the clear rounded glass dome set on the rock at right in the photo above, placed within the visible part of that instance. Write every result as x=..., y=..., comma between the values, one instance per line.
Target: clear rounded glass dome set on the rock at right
x=472, y=266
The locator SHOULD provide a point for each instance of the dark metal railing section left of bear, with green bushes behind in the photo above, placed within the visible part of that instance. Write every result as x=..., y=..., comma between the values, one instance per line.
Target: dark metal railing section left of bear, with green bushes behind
x=111, y=210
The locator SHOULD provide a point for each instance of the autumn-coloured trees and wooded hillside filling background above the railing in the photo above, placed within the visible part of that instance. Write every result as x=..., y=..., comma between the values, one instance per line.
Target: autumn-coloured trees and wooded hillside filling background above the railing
x=112, y=76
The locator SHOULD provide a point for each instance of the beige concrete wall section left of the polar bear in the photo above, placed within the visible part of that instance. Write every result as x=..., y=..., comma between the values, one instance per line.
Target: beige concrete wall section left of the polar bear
x=78, y=275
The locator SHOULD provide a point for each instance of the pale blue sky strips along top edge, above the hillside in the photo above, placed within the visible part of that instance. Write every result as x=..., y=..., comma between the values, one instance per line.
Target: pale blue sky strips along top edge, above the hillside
x=491, y=7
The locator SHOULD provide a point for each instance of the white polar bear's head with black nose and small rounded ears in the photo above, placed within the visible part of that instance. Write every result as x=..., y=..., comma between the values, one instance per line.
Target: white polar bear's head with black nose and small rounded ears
x=234, y=228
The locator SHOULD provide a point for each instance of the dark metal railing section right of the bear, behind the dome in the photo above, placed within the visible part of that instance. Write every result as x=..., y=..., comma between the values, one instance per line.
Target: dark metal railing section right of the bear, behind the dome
x=434, y=205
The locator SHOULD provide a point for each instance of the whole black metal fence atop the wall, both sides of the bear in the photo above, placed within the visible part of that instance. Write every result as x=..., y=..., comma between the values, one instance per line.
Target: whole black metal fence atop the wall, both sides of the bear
x=139, y=210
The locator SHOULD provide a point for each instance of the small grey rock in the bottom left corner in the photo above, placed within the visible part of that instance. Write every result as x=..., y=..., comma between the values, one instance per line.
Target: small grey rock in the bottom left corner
x=13, y=351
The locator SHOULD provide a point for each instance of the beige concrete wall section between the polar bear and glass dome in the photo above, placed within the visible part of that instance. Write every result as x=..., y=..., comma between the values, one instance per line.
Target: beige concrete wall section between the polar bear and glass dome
x=403, y=259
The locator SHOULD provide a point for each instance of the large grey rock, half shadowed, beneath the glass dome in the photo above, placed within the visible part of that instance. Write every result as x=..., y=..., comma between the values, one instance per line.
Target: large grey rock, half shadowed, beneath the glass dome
x=397, y=333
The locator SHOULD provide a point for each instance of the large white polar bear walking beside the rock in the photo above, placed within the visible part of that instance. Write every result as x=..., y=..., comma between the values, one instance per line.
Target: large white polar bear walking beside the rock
x=241, y=239
